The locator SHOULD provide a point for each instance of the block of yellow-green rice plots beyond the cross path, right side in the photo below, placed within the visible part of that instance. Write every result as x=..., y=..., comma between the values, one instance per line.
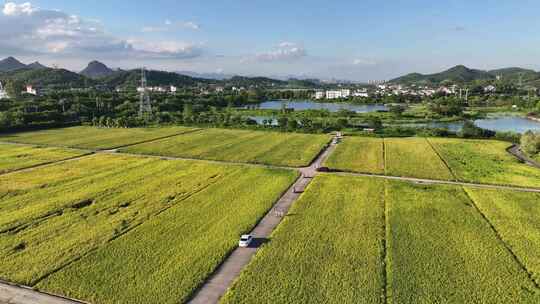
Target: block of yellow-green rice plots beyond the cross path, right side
x=475, y=161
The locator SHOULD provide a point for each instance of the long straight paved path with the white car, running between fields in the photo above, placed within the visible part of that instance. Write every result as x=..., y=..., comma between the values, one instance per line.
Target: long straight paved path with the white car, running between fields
x=220, y=281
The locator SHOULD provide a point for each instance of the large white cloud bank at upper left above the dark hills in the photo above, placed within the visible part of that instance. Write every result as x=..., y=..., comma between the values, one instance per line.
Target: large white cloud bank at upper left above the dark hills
x=25, y=28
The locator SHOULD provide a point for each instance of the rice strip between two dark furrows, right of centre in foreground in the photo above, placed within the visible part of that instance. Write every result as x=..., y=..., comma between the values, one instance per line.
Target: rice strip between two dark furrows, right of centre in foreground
x=441, y=250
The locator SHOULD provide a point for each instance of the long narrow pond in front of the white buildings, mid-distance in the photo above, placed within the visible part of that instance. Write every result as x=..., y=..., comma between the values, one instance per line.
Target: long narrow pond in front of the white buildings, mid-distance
x=299, y=105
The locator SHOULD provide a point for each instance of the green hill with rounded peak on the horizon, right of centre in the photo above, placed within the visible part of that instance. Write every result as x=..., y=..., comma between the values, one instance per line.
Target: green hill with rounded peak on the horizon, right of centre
x=457, y=74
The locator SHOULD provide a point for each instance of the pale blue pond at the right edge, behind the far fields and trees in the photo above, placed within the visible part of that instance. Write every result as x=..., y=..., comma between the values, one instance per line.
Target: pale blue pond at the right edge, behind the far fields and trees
x=500, y=124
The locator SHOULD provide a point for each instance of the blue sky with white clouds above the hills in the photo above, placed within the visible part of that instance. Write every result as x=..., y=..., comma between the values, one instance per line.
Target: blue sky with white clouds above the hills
x=357, y=40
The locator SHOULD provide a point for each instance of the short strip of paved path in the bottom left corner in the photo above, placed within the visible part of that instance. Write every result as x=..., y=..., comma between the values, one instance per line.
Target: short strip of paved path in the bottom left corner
x=14, y=294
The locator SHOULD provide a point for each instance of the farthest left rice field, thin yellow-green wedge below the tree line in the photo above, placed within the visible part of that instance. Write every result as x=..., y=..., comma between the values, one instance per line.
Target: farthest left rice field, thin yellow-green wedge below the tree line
x=92, y=137
